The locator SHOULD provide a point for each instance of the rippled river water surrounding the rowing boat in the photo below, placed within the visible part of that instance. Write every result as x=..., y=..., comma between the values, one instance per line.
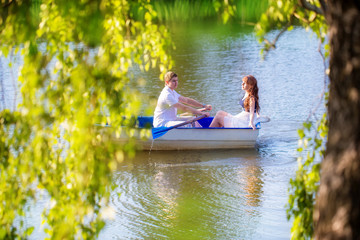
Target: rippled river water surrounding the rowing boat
x=221, y=194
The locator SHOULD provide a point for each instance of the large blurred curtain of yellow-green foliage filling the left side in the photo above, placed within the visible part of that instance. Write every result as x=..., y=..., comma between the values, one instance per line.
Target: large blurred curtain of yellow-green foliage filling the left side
x=75, y=76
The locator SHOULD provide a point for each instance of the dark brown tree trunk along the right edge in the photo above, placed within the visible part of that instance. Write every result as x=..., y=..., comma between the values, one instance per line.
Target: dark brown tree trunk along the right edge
x=337, y=213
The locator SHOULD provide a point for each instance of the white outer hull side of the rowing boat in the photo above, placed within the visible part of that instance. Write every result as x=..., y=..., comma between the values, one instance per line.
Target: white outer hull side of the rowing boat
x=201, y=138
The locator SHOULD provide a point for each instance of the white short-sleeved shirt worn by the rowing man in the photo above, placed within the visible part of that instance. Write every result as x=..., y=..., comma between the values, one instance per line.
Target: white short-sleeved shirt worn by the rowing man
x=164, y=111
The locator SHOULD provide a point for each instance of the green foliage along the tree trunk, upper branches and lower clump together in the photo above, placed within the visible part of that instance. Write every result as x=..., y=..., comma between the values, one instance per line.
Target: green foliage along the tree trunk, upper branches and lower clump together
x=282, y=15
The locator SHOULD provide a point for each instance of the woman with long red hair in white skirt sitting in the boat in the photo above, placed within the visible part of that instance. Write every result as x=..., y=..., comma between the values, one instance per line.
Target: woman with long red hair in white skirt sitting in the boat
x=250, y=103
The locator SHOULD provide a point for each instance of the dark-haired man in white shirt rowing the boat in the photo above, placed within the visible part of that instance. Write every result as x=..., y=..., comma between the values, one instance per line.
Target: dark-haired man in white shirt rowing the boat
x=169, y=101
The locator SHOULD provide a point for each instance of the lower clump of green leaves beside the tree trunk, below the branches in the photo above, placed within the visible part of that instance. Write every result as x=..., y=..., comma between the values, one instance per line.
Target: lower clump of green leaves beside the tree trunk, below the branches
x=304, y=187
